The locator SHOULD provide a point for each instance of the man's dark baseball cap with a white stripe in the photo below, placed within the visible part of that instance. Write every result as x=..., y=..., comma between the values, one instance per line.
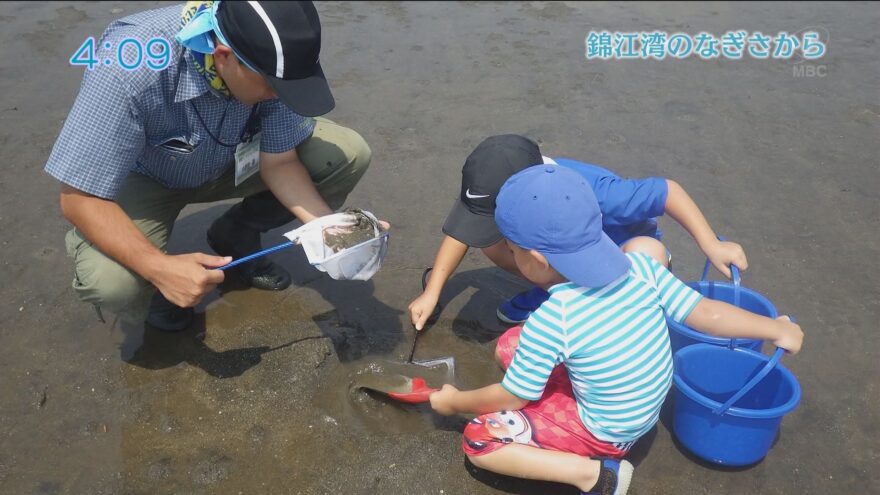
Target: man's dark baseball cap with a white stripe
x=282, y=41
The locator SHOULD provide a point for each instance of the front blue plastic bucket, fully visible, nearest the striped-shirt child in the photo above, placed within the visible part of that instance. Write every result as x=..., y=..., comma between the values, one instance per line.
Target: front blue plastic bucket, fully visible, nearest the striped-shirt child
x=729, y=403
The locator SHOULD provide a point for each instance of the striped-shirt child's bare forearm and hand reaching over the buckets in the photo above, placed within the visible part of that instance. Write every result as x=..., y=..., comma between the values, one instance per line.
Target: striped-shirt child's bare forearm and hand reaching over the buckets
x=725, y=320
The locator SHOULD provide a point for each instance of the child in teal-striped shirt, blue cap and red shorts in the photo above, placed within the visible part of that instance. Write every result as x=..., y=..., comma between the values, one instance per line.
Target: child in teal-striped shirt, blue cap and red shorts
x=587, y=373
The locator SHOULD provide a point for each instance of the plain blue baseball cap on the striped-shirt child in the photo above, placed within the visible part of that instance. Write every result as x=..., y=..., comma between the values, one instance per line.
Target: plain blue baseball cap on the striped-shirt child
x=554, y=211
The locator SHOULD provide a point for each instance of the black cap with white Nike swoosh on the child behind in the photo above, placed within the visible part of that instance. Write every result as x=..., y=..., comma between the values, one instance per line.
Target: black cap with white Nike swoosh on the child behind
x=493, y=161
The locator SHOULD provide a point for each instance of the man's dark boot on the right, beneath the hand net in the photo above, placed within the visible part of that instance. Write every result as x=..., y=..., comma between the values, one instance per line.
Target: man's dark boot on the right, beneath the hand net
x=229, y=238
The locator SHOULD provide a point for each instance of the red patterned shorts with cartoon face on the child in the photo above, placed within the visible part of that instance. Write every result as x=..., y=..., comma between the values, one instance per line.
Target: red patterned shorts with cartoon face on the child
x=552, y=422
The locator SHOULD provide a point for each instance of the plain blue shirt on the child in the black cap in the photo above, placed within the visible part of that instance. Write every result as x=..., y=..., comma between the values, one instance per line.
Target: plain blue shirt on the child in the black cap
x=629, y=206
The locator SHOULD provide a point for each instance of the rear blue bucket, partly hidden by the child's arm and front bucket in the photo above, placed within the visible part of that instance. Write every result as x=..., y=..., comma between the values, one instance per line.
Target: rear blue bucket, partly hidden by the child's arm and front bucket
x=681, y=335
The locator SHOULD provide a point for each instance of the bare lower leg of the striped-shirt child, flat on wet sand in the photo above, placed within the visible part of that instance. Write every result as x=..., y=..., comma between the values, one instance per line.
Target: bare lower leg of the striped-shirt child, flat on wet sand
x=533, y=463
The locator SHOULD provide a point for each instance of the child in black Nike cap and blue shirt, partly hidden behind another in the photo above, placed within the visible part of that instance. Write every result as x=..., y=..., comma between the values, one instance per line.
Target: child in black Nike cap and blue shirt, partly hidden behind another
x=629, y=207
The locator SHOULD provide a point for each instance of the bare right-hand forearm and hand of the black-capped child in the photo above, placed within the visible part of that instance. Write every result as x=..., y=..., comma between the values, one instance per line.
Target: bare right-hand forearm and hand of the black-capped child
x=681, y=208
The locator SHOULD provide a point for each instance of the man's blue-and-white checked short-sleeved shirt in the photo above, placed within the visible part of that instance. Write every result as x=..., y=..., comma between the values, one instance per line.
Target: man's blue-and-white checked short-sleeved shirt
x=148, y=122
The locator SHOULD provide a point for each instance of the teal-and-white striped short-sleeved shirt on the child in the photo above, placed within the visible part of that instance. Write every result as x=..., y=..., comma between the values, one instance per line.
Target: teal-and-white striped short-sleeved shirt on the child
x=614, y=343
